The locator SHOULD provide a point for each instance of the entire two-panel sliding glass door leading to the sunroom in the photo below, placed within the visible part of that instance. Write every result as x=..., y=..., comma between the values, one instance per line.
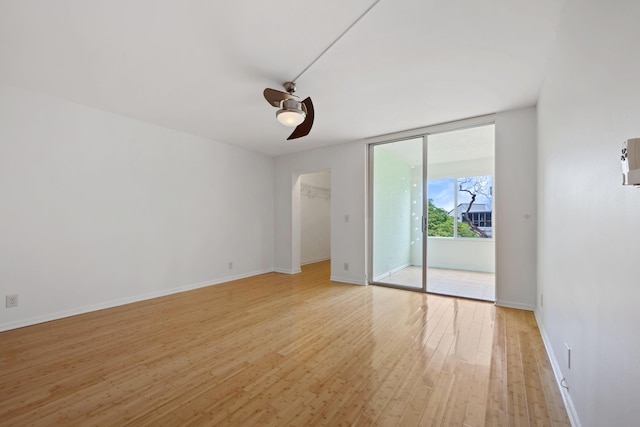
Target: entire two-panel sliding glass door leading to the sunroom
x=431, y=222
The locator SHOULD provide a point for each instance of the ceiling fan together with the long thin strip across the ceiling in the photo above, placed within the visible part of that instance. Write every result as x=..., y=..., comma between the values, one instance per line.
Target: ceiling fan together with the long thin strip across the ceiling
x=293, y=112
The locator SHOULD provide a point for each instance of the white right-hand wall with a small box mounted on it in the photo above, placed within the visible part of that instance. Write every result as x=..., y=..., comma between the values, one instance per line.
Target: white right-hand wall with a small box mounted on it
x=588, y=235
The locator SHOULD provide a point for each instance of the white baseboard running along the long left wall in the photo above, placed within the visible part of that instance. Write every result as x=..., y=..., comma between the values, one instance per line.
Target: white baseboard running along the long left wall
x=123, y=301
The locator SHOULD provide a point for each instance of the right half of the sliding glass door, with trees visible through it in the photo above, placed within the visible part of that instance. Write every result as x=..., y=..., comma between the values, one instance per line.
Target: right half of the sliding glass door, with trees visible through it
x=460, y=245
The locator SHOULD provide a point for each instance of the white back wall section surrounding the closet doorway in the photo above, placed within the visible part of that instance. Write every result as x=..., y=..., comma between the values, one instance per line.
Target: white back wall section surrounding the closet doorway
x=347, y=164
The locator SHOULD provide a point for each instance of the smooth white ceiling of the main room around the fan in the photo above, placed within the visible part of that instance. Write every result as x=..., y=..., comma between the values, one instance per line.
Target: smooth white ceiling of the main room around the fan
x=200, y=66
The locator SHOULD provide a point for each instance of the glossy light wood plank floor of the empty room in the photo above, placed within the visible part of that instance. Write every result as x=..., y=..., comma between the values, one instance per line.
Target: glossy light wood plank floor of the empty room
x=282, y=350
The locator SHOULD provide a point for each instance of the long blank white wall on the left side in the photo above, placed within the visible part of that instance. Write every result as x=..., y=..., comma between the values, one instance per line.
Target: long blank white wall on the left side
x=98, y=210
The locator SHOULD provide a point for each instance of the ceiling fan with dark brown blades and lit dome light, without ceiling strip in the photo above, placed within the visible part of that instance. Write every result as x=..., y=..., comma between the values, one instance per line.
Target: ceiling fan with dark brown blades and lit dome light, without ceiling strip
x=292, y=112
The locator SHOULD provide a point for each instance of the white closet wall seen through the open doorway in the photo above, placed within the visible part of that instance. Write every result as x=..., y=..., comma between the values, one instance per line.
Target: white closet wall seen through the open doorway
x=315, y=217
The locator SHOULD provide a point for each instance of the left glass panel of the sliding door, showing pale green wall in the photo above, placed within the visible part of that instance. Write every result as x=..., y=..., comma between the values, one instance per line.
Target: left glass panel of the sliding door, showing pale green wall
x=397, y=212
